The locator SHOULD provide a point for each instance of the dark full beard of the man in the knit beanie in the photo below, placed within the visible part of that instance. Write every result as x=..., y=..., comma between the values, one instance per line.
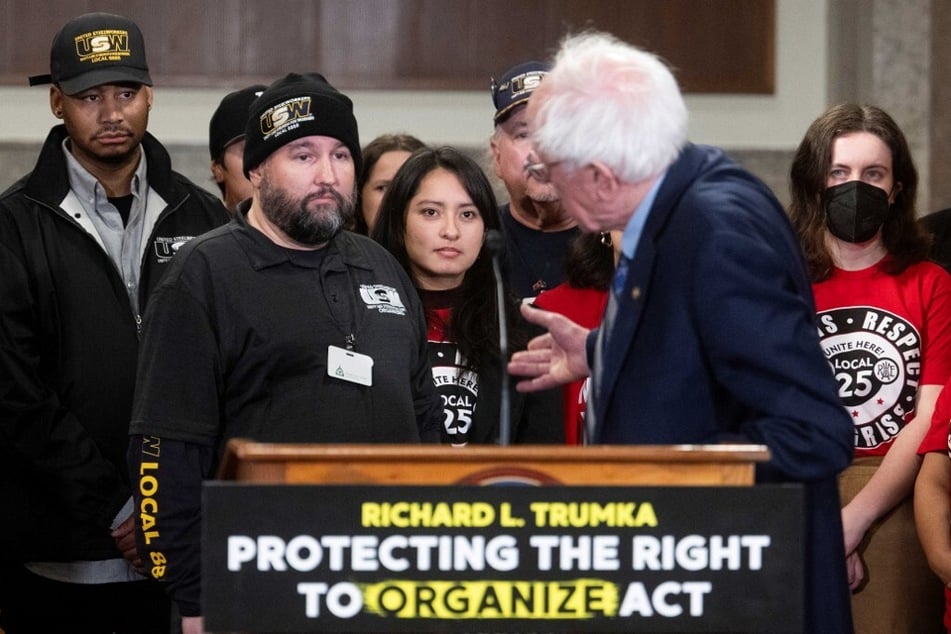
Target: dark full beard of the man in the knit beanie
x=300, y=219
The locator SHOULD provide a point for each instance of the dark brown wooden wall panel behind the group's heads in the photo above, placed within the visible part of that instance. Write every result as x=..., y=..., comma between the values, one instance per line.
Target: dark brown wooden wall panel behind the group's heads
x=715, y=46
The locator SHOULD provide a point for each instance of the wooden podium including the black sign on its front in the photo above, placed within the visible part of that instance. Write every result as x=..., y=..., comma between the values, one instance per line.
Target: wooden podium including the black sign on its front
x=430, y=538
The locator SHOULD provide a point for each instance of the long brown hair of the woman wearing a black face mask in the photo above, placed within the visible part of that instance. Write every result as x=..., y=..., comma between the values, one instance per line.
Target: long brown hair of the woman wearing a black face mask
x=904, y=240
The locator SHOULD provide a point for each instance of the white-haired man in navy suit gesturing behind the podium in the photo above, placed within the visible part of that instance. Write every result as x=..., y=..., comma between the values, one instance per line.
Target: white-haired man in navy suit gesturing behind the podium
x=709, y=335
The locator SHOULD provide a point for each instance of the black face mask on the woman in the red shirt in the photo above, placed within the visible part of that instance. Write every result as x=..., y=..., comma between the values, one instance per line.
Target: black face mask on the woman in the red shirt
x=855, y=210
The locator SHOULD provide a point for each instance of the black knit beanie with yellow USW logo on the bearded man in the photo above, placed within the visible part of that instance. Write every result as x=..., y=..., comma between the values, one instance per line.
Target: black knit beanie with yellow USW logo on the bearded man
x=296, y=106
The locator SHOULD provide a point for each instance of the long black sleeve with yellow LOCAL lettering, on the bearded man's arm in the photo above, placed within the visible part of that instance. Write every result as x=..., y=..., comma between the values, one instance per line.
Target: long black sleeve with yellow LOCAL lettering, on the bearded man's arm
x=167, y=477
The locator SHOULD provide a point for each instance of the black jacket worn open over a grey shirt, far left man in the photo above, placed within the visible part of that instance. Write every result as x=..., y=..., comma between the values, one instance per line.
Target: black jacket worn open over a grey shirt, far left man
x=68, y=349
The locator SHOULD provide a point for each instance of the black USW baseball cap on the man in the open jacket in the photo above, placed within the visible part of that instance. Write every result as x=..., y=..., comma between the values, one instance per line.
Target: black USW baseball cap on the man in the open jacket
x=96, y=49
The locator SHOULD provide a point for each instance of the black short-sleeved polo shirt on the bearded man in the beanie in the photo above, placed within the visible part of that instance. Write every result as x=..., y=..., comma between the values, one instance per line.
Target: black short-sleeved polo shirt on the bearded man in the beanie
x=236, y=344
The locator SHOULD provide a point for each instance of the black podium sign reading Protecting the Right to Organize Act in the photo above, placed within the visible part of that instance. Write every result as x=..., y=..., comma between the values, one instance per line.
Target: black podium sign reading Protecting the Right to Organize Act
x=317, y=558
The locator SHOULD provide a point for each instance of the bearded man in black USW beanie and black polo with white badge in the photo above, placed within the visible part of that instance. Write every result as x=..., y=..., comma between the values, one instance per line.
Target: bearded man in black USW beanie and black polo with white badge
x=280, y=327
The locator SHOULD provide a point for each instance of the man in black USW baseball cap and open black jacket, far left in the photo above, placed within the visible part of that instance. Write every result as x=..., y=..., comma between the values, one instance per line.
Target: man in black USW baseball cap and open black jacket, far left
x=84, y=239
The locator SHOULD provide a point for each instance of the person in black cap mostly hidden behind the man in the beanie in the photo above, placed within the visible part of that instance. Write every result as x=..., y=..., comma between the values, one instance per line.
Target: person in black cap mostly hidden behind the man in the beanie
x=226, y=144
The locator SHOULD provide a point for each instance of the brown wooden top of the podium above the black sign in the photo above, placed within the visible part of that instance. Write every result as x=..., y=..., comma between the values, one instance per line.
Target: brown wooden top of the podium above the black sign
x=663, y=465
